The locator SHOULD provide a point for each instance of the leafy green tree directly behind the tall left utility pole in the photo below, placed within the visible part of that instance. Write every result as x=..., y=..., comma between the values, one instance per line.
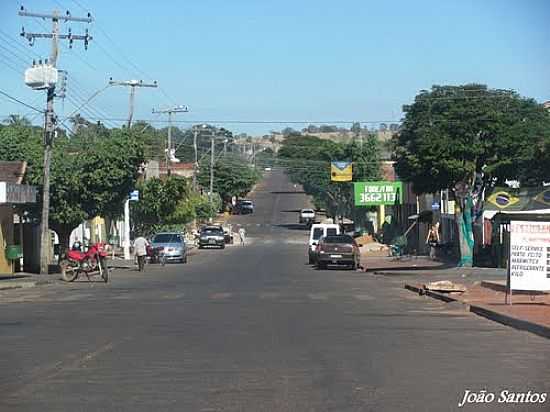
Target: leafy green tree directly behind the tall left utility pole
x=86, y=179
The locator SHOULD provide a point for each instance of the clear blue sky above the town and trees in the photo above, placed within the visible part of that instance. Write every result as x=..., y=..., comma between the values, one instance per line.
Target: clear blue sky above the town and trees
x=282, y=61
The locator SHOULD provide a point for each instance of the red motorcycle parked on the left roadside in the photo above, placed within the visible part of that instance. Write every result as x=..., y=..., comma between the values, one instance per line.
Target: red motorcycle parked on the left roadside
x=92, y=262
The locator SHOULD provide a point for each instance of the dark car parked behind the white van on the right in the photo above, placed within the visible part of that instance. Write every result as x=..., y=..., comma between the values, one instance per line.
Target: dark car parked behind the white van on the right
x=338, y=250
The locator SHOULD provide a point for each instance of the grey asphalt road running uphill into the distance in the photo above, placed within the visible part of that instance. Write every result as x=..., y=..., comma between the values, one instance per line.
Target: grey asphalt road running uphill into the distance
x=254, y=328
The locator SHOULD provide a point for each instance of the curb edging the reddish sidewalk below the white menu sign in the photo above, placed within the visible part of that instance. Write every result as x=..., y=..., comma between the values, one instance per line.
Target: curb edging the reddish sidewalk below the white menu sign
x=507, y=320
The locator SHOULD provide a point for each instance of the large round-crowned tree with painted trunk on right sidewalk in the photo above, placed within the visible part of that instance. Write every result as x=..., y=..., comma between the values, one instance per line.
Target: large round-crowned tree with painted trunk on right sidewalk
x=473, y=137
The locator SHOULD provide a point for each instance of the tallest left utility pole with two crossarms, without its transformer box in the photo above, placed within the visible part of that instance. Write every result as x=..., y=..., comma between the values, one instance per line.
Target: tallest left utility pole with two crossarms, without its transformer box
x=50, y=118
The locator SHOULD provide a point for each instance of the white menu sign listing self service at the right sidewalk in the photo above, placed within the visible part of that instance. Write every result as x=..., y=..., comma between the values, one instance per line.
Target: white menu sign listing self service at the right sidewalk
x=529, y=255
